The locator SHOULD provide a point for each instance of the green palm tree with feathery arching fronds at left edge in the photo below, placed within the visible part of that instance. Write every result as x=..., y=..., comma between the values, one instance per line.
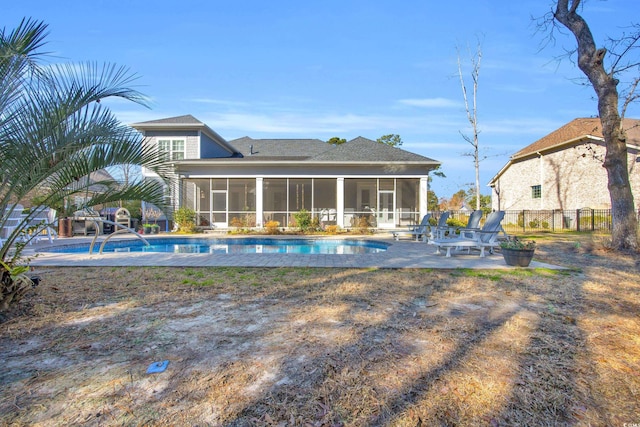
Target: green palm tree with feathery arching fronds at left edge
x=55, y=132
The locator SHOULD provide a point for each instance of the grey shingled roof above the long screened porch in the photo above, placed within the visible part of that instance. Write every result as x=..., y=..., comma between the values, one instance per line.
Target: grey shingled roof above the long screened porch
x=361, y=150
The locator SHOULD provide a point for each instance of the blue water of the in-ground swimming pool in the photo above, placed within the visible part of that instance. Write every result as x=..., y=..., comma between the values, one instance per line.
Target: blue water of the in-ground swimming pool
x=233, y=246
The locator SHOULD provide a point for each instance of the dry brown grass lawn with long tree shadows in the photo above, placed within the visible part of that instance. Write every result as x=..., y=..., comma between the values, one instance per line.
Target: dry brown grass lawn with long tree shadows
x=330, y=347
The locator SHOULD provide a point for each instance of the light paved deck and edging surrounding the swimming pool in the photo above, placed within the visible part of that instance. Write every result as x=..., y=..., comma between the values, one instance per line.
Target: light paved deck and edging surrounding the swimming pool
x=401, y=253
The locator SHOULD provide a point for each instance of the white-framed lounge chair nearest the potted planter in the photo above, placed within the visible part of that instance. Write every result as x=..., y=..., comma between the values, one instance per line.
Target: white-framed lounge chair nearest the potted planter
x=486, y=237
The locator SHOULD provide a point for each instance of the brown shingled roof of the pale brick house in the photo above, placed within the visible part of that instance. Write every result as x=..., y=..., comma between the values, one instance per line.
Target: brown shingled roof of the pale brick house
x=576, y=130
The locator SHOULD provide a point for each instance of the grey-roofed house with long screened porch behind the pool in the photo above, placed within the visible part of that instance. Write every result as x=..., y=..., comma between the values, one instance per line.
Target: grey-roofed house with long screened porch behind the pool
x=247, y=182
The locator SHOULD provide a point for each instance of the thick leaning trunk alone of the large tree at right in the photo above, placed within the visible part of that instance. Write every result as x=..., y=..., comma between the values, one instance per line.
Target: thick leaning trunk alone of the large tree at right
x=591, y=62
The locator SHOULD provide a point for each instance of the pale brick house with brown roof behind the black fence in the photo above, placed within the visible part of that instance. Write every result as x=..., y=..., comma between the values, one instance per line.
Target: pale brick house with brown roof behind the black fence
x=564, y=170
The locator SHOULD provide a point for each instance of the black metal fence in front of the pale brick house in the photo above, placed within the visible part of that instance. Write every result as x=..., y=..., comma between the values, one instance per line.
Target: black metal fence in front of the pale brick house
x=551, y=220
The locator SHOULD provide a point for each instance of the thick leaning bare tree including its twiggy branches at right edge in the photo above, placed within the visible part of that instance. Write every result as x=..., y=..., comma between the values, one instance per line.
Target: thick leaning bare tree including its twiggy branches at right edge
x=591, y=61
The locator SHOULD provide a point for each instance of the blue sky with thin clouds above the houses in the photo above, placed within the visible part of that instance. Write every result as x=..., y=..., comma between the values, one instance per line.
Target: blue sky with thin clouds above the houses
x=290, y=69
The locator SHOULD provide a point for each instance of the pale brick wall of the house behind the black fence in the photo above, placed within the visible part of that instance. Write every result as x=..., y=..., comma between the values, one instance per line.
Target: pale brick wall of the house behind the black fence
x=571, y=178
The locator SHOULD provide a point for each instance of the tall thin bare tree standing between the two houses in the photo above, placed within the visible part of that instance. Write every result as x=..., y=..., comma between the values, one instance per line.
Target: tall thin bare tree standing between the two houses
x=472, y=114
